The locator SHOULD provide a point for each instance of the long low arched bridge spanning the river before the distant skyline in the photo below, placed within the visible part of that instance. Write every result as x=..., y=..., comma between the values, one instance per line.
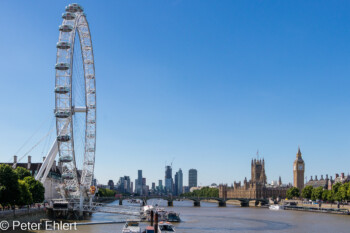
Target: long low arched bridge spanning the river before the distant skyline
x=196, y=200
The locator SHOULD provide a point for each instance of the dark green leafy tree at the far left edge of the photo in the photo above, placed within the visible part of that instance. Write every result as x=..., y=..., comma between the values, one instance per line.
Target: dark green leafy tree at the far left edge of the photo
x=9, y=188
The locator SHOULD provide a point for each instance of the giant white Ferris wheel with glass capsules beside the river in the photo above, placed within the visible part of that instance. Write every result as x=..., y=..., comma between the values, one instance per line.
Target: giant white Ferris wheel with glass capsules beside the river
x=75, y=103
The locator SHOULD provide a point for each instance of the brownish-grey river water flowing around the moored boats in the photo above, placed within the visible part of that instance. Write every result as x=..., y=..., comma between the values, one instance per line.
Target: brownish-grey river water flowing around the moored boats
x=210, y=218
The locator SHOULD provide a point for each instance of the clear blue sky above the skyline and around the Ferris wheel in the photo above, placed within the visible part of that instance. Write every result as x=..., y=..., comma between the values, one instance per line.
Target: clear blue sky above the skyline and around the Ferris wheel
x=204, y=82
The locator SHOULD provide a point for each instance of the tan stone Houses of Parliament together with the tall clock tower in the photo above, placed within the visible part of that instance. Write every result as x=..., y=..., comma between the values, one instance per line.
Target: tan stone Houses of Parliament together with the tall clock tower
x=257, y=187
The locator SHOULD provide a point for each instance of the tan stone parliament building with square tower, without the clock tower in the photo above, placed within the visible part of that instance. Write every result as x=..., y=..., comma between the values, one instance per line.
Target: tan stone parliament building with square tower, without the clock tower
x=256, y=187
